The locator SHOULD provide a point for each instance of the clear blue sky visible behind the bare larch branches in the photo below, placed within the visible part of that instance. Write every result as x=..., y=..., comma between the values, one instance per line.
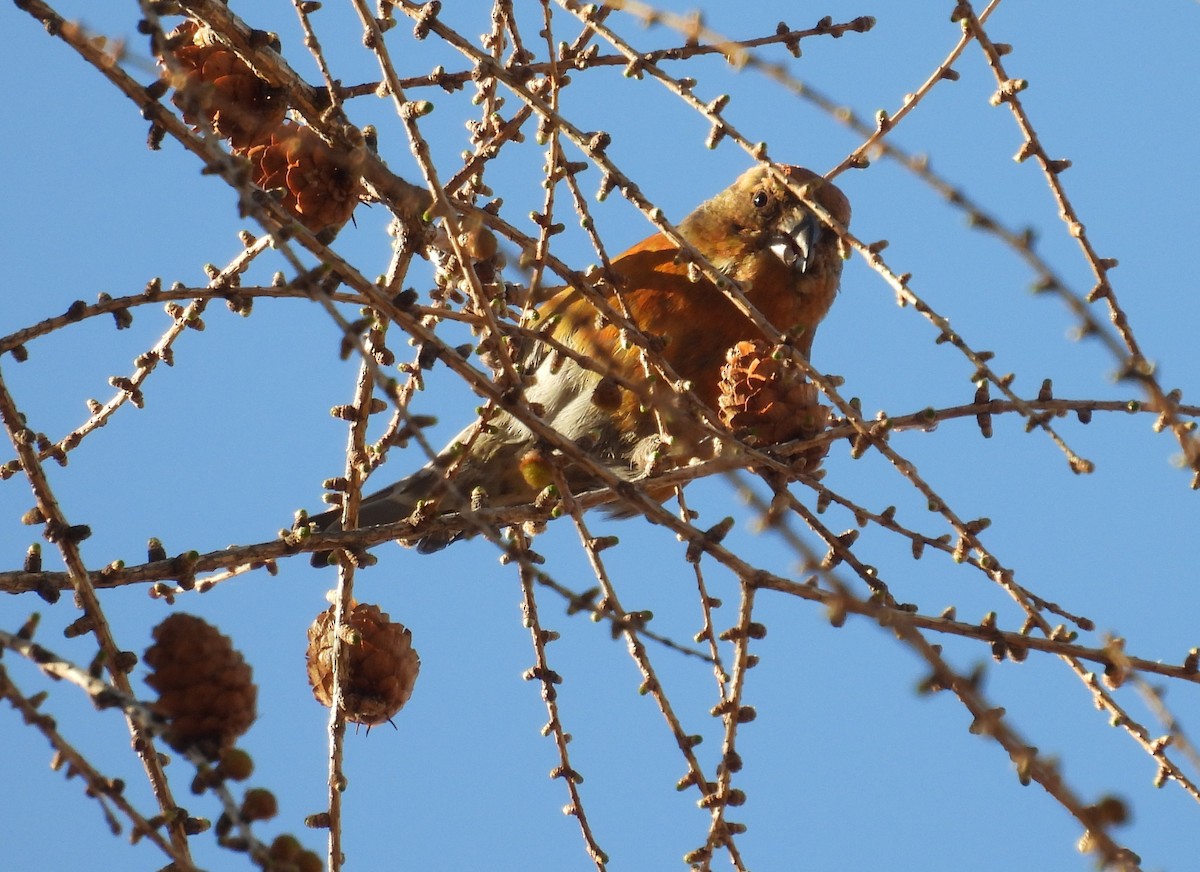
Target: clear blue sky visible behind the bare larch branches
x=847, y=766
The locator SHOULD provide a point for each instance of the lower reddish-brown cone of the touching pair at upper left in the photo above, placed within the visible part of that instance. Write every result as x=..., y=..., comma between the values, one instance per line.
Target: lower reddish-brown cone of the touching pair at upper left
x=320, y=187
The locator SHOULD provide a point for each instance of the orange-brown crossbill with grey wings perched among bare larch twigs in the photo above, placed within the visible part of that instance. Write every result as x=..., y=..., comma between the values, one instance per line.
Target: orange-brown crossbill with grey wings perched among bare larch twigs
x=757, y=232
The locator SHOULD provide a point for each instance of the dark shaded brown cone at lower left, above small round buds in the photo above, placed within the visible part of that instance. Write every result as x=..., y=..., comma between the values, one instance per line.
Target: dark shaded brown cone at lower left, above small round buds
x=206, y=689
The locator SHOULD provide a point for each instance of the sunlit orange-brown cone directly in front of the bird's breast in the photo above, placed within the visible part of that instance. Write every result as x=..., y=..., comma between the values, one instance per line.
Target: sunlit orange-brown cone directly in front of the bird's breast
x=764, y=401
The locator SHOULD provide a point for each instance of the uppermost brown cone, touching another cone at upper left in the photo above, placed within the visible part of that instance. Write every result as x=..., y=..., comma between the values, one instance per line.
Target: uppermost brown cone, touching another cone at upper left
x=220, y=91
